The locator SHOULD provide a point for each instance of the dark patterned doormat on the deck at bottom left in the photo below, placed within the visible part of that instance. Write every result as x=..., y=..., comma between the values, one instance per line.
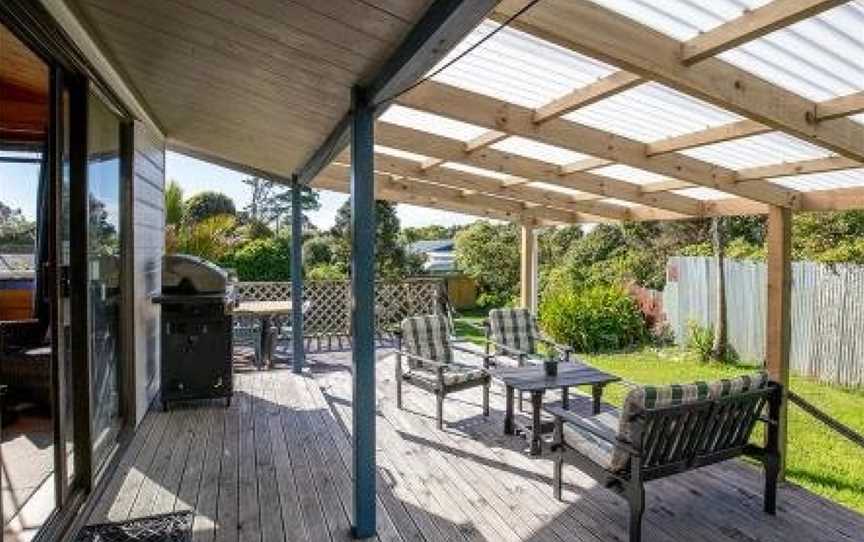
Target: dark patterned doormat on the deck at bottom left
x=173, y=527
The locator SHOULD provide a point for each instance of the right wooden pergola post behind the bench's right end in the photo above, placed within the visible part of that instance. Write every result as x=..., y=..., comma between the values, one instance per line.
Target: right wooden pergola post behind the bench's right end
x=778, y=324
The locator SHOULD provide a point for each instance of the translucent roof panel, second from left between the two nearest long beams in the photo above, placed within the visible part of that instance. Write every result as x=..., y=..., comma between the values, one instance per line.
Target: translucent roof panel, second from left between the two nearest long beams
x=651, y=112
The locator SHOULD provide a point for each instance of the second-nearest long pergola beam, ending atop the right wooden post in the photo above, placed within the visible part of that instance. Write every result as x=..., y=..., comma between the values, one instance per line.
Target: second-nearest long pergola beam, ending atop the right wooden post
x=467, y=106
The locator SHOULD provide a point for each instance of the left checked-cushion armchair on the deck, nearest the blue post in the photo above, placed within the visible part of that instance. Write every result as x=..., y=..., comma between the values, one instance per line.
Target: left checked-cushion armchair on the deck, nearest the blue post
x=425, y=342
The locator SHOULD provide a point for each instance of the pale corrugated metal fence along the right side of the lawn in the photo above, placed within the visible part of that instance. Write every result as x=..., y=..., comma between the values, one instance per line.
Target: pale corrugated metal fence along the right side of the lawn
x=827, y=312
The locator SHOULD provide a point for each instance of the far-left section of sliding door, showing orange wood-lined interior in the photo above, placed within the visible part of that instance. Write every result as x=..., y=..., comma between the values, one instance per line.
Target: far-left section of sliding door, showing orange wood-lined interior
x=26, y=422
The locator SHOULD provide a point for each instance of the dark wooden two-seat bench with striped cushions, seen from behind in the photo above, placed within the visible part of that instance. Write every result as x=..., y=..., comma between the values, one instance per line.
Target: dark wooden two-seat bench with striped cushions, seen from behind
x=667, y=430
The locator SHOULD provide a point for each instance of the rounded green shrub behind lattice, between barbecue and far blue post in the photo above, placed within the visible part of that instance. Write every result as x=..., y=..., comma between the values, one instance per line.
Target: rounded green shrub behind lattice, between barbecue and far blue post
x=262, y=260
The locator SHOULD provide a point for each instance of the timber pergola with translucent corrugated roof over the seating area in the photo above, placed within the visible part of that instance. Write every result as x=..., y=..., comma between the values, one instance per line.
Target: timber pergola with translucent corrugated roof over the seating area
x=577, y=112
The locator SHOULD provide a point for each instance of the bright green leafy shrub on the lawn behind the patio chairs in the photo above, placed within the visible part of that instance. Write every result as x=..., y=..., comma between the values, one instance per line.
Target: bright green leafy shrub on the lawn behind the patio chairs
x=591, y=319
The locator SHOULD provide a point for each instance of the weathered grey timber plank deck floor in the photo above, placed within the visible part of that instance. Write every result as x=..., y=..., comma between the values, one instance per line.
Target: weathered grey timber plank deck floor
x=275, y=466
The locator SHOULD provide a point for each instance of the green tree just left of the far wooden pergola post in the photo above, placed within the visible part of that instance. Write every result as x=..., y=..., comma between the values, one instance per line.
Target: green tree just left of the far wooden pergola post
x=489, y=254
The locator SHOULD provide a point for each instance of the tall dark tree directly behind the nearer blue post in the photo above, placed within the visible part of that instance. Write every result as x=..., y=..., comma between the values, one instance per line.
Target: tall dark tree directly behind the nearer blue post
x=391, y=259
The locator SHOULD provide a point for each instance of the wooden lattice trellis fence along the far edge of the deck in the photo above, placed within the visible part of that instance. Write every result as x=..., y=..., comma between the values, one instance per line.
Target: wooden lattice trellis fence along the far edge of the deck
x=329, y=311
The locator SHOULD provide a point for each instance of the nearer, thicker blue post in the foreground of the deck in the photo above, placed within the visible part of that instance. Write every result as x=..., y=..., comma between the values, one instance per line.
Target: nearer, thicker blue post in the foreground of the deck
x=363, y=311
